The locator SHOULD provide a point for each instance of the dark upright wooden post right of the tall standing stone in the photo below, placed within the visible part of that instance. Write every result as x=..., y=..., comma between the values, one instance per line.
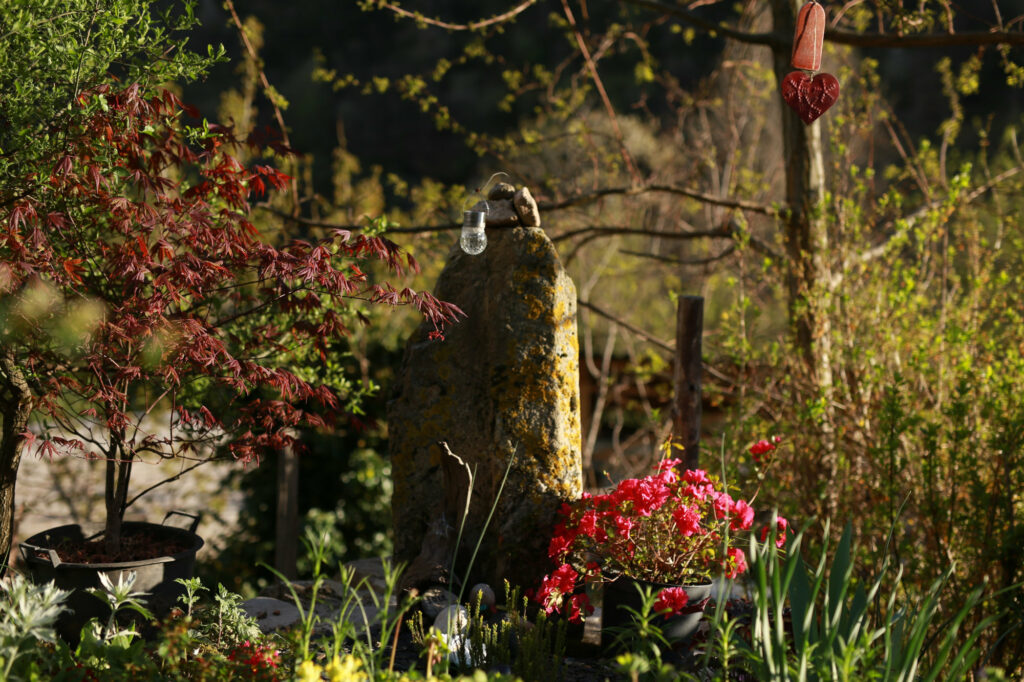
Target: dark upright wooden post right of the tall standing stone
x=687, y=411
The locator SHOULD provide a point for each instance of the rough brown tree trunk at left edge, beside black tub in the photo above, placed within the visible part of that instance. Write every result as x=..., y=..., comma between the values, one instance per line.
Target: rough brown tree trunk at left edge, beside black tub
x=16, y=406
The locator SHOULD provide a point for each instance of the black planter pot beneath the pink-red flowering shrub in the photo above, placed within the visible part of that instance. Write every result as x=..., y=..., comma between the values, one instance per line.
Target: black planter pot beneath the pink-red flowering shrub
x=623, y=593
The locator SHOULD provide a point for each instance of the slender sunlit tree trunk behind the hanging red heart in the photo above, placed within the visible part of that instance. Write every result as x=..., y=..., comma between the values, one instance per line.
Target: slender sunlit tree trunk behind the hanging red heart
x=807, y=247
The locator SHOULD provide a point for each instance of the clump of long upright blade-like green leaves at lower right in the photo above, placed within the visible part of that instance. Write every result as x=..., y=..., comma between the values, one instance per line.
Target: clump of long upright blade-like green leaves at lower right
x=823, y=623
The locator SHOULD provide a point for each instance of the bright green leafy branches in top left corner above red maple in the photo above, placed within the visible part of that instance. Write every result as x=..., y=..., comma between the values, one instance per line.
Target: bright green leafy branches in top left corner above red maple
x=54, y=51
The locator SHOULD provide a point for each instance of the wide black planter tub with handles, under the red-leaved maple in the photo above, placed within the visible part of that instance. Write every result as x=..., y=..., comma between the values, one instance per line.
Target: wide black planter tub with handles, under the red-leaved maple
x=154, y=577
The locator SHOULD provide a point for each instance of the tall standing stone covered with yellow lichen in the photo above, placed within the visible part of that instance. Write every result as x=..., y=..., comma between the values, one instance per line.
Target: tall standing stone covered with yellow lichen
x=505, y=379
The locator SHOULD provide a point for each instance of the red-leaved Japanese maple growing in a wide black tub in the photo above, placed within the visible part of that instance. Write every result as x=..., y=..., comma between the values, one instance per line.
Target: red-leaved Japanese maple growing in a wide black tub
x=184, y=318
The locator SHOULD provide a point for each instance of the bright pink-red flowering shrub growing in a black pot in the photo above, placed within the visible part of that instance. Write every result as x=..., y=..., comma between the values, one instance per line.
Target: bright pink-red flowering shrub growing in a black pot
x=673, y=528
